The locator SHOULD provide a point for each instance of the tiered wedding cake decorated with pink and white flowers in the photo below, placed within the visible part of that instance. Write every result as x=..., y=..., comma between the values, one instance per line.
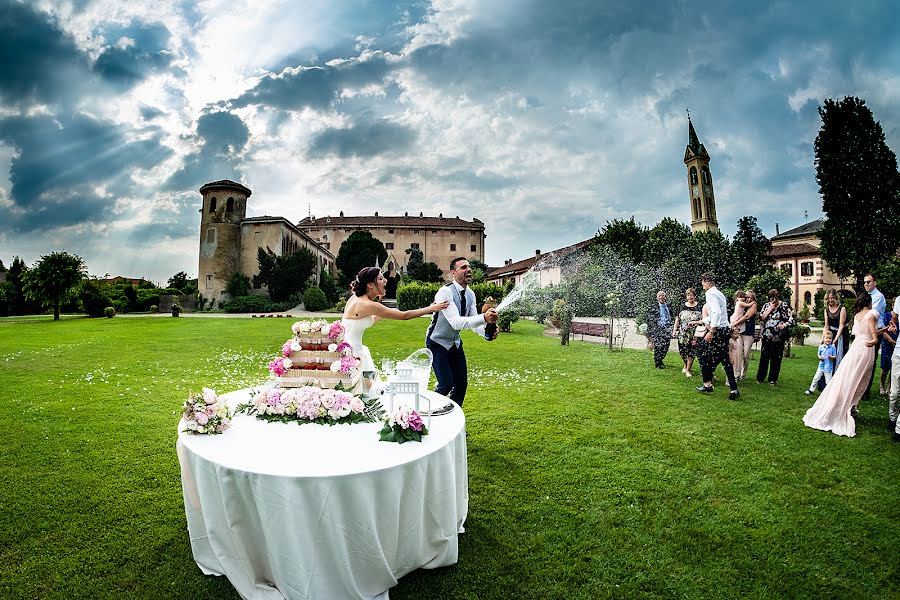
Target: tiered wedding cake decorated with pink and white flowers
x=317, y=355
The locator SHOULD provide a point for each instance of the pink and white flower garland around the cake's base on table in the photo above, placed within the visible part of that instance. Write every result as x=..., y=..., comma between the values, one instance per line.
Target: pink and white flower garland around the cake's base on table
x=310, y=404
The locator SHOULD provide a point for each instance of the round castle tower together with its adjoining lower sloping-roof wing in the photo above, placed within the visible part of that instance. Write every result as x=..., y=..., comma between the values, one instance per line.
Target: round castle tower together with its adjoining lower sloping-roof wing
x=229, y=241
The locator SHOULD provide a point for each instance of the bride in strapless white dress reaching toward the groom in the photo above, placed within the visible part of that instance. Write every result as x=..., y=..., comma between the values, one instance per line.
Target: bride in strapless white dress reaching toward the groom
x=363, y=309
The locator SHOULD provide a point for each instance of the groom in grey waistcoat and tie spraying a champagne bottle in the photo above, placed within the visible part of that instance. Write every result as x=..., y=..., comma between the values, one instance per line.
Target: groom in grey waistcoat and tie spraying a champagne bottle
x=449, y=362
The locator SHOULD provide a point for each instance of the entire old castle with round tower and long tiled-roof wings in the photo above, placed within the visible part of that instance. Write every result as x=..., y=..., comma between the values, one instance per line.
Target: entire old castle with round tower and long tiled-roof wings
x=229, y=240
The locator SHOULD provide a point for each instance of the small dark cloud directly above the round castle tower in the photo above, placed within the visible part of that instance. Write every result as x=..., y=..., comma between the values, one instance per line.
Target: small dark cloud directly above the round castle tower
x=223, y=137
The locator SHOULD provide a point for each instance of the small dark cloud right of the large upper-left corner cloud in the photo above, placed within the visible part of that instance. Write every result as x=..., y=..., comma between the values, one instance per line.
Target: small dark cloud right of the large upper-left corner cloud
x=123, y=67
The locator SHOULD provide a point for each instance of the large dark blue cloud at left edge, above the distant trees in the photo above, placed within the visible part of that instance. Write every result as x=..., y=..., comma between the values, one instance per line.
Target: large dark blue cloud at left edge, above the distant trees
x=61, y=161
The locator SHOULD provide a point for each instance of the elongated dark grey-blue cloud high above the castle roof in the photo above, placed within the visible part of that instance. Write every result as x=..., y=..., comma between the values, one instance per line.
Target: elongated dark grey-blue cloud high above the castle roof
x=314, y=87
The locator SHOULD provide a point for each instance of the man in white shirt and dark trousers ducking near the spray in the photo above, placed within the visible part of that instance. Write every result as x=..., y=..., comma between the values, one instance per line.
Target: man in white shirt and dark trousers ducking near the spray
x=714, y=345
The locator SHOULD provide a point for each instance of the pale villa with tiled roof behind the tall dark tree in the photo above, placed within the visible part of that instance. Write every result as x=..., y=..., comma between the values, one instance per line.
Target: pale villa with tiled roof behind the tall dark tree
x=796, y=252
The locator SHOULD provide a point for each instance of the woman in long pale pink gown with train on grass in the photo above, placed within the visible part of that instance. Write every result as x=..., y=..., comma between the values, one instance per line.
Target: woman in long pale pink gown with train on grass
x=832, y=411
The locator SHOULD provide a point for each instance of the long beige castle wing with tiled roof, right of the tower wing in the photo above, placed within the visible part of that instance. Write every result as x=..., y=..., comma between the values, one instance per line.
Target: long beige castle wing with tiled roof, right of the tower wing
x=441, y=239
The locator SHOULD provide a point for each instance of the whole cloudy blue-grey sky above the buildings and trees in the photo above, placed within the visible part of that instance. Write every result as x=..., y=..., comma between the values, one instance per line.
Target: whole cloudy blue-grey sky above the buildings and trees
x=543, y=119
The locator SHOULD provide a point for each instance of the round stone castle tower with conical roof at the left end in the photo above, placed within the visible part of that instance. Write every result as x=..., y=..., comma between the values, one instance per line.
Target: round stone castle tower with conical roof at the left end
x=224, y=207
